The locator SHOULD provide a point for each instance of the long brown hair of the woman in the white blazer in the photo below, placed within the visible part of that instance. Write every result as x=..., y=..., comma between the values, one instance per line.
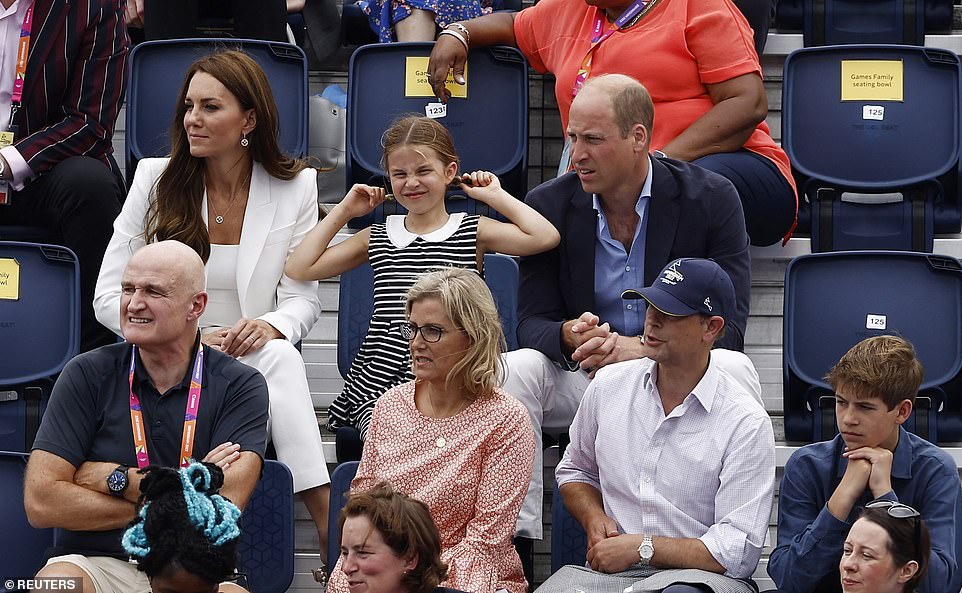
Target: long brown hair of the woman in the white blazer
x=174, y=211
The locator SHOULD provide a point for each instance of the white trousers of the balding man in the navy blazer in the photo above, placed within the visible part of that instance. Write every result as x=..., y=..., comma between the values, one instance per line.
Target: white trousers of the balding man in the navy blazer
x=552, y=395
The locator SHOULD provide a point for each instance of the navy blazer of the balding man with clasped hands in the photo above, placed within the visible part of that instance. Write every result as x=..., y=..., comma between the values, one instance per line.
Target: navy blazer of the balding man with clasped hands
x=692, y=213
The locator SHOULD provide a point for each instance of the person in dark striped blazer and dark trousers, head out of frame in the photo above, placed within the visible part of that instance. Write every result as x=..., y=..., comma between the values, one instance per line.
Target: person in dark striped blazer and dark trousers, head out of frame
x=61, y=164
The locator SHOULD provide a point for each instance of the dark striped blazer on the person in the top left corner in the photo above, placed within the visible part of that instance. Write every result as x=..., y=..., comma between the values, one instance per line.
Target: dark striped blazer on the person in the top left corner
x=75, y=82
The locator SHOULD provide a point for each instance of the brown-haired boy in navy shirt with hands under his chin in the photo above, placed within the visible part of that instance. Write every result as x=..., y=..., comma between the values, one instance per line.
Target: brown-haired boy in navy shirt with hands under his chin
x=826, y=484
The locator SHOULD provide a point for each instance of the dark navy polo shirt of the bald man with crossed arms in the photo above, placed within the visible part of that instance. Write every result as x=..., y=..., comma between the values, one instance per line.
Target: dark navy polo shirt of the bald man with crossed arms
x=88, y=419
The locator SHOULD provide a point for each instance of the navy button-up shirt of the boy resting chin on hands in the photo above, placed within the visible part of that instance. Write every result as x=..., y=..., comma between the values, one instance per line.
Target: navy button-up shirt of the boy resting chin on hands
x=810, y=538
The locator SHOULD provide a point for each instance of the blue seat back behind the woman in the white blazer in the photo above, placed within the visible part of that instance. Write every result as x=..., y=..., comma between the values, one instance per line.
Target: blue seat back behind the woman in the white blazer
x=158, y=69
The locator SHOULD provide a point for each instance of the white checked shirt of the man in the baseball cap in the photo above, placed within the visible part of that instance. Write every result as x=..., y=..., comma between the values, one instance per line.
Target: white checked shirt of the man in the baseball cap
x=706, y=470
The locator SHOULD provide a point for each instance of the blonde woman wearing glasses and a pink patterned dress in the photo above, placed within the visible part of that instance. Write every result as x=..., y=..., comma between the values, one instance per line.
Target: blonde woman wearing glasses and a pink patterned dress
x=452, y=438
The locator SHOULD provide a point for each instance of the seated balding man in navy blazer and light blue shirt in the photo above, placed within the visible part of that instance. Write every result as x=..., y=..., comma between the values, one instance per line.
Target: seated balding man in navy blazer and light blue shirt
x=622, y=215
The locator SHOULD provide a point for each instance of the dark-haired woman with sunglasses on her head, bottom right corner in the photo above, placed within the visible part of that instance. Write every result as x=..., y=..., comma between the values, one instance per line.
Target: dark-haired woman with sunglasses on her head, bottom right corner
x=886, y=551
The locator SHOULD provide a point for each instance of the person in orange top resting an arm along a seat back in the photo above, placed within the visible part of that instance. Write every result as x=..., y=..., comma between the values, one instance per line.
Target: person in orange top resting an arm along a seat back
x=695, y=57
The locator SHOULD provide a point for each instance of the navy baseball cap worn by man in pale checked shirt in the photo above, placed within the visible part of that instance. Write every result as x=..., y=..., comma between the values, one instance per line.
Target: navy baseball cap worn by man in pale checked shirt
x=687, y=286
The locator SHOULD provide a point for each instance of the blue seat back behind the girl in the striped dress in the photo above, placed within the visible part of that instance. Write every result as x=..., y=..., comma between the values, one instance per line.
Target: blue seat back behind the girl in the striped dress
x=356, y=303
